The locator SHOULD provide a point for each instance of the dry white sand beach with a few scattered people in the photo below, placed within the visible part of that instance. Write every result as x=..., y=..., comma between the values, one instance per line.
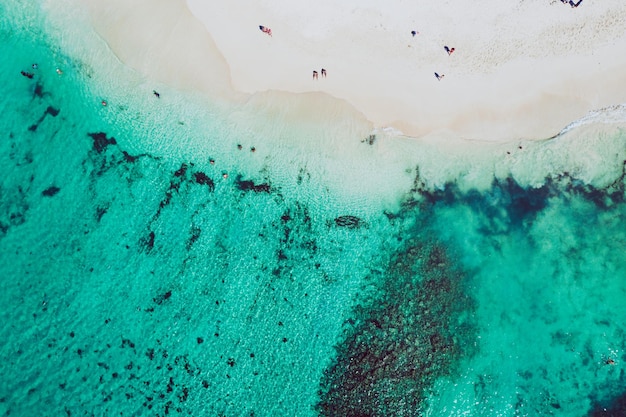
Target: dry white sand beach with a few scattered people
x=518, y=71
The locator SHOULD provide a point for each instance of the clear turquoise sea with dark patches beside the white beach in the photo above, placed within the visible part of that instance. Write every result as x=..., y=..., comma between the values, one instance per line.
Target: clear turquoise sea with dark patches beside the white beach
x=137, y=280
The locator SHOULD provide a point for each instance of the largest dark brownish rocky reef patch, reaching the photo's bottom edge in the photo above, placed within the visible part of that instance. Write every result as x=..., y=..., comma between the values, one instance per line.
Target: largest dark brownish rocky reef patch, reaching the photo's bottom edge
x=401, y=341
